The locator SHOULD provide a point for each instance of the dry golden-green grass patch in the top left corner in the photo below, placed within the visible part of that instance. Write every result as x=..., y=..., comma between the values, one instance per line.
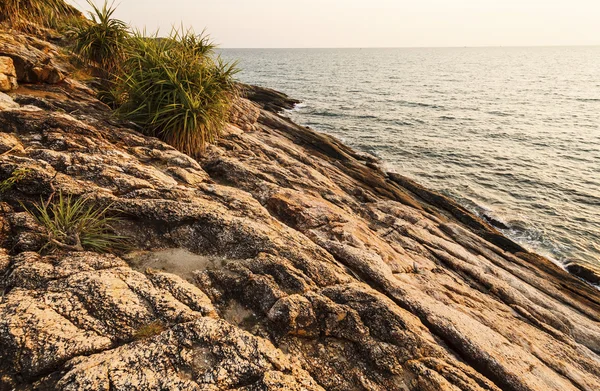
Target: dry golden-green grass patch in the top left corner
x=22, y=14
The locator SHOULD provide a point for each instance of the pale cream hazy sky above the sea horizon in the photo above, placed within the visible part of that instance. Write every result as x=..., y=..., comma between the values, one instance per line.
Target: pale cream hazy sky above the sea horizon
x=373, y=23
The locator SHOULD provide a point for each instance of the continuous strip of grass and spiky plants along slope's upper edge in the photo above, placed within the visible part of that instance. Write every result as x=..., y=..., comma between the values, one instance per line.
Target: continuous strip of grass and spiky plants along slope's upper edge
x=175, y=88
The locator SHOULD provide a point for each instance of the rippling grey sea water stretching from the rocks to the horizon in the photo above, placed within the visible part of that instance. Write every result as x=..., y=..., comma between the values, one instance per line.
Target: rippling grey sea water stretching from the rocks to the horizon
x=511, y=133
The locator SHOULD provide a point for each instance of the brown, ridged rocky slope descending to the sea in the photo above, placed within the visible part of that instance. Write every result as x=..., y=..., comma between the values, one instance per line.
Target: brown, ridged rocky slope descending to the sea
x=298, y=264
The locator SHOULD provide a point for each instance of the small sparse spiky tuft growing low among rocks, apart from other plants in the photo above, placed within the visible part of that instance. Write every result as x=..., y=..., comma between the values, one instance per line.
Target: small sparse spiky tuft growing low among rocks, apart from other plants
x=76, y=224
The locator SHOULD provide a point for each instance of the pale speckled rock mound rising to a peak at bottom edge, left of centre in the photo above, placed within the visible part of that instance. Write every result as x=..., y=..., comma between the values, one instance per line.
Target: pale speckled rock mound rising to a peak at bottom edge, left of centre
x=206, y=354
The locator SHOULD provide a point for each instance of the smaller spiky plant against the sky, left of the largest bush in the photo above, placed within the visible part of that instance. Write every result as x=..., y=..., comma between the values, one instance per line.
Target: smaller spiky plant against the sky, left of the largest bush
x=100, y=41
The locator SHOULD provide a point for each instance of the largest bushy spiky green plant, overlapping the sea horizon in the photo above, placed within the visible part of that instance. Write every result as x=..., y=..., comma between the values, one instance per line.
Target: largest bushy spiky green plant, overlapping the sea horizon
x=176, y=89
